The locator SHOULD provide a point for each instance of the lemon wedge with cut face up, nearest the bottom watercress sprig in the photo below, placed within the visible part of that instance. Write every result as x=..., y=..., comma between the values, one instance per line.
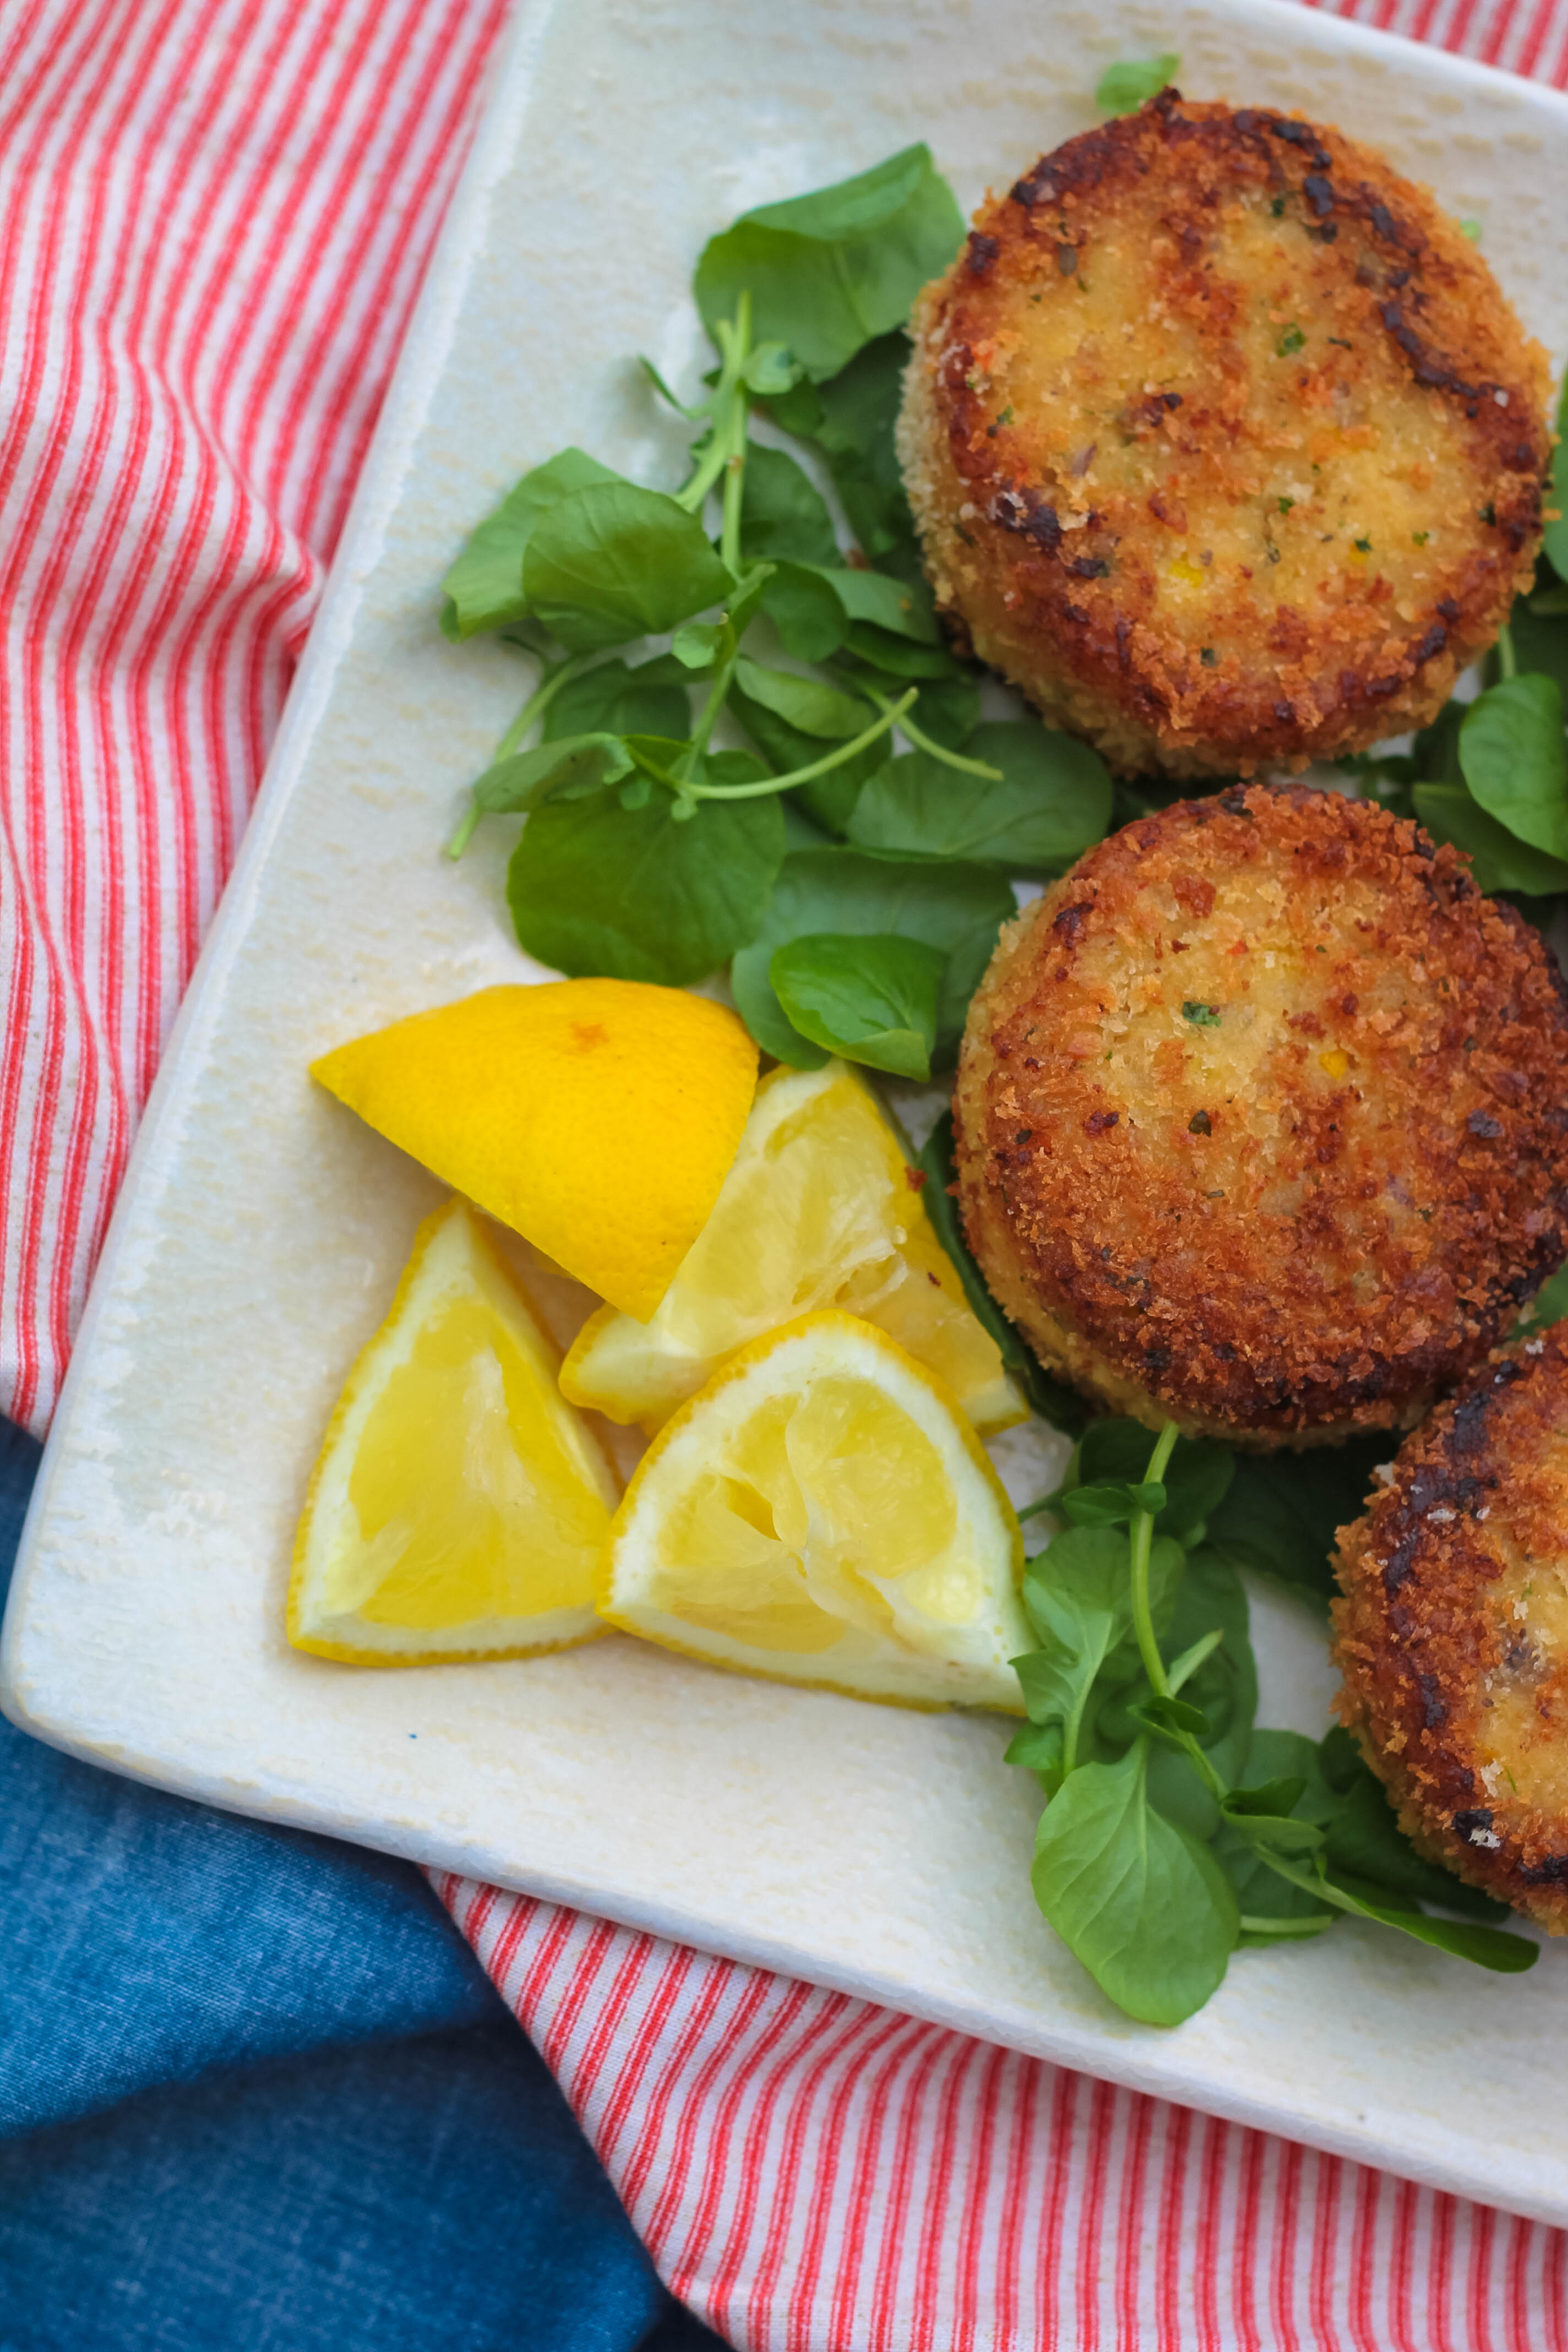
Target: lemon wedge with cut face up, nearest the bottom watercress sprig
x=824, y=1514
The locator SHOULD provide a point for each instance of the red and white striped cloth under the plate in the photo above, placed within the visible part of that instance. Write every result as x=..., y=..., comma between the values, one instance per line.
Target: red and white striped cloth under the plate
x=213, y=225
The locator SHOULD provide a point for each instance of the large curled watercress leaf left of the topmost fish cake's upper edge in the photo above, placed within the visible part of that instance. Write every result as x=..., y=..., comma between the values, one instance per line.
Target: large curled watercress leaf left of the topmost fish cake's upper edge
x=840, y=267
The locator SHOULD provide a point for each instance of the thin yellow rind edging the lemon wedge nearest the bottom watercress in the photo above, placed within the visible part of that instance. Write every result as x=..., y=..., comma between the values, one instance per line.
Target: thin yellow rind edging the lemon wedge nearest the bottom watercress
x=624, y=1615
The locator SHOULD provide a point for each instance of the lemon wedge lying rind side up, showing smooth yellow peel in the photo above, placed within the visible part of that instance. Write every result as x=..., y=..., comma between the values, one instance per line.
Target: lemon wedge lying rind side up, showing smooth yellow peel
x=598, y=1118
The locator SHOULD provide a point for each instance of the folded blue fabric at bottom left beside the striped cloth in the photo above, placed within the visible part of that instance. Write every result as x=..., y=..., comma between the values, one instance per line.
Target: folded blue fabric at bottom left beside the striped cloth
x=257, y=2094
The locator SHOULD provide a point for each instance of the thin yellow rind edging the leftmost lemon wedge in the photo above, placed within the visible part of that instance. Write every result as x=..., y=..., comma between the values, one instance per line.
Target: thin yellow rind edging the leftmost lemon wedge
x=572, y=1626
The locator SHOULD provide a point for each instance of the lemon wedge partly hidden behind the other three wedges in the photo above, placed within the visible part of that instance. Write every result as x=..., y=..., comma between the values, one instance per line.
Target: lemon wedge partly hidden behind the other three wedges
x=817, y=1212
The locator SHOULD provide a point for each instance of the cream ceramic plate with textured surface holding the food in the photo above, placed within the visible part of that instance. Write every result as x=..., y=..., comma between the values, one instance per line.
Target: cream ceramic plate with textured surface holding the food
x=262, y=1229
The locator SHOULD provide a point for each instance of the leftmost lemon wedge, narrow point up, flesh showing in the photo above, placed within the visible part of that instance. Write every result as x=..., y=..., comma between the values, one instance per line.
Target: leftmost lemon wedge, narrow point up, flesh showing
x=460, y=1504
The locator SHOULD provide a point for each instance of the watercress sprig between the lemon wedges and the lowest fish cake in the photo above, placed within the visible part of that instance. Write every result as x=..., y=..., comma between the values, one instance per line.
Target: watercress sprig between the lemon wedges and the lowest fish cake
x=1174, y=1829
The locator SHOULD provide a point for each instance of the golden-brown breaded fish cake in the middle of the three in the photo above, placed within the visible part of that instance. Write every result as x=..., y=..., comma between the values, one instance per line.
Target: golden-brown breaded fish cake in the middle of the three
x=1264, y=1118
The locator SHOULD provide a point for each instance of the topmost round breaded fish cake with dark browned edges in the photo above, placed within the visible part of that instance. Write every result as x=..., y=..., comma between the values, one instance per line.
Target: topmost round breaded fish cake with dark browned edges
x=1224, y=441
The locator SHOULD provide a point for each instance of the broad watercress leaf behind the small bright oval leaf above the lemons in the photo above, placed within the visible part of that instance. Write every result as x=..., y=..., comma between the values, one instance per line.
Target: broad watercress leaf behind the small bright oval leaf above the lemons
x=956, y=909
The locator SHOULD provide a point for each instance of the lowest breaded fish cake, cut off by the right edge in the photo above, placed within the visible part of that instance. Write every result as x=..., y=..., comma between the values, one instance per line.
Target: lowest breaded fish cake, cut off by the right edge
x=1454, y=1631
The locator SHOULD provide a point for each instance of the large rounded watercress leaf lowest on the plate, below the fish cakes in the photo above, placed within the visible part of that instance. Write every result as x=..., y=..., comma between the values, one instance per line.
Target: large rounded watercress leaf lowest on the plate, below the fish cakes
x=1144, y=1906
